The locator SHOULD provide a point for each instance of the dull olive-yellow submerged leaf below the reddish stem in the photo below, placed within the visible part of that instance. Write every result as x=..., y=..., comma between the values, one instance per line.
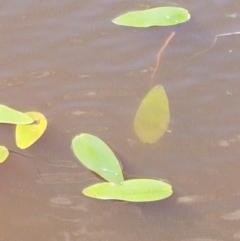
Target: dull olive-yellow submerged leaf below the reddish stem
x=153, y=116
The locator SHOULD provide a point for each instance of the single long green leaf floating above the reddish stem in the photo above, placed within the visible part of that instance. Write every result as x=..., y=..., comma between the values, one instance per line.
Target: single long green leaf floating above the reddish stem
x=159, y=16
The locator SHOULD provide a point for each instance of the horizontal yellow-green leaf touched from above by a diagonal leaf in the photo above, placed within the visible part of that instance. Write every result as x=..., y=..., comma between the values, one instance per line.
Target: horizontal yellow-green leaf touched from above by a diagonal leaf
x=134, y=190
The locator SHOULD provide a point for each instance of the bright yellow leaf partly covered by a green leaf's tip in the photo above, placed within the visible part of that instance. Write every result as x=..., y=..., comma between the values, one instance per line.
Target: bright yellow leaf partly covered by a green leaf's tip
x=26, y=135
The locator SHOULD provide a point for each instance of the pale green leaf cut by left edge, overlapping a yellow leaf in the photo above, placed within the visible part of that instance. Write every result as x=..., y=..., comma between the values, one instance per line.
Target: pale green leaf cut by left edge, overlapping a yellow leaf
x=11, y=116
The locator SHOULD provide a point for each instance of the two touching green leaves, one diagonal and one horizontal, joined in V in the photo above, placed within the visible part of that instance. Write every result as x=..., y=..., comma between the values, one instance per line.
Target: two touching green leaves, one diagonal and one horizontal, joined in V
x=93, y=153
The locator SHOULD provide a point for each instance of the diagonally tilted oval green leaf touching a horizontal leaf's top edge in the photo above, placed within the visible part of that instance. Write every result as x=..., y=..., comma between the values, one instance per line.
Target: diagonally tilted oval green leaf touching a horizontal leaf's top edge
x=93, y=153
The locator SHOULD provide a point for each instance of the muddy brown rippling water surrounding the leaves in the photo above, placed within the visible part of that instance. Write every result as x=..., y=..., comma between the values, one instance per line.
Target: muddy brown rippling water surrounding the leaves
x=67, y=60
